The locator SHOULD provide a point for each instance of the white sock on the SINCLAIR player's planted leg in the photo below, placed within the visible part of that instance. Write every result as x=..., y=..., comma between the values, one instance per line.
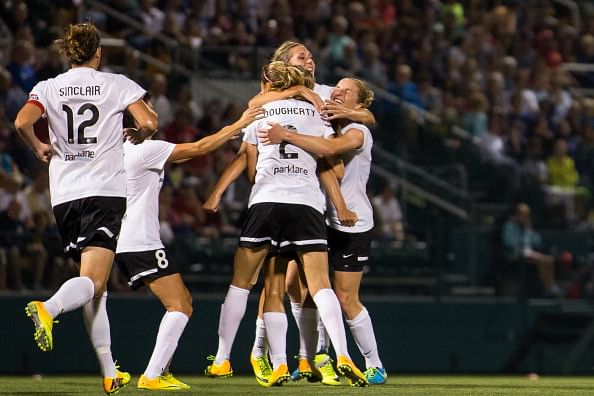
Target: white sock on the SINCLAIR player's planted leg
x=97, y=324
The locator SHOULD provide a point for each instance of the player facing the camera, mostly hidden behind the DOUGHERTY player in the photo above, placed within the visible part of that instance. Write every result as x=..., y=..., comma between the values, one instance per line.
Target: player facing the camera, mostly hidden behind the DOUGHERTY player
x=296, y=54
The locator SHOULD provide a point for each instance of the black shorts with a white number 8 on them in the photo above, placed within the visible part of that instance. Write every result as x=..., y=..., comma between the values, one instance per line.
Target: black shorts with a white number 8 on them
x=151, y=264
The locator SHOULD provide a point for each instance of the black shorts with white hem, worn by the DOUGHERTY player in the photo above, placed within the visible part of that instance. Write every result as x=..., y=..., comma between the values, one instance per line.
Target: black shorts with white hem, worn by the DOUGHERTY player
x=284, y=227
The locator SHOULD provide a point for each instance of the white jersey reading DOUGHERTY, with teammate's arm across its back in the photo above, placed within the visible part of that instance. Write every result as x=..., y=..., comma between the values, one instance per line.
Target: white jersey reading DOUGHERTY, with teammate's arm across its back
x=287, y=173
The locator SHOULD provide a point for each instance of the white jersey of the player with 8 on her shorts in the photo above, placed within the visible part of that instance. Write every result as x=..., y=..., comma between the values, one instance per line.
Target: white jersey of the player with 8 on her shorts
x=144, y=165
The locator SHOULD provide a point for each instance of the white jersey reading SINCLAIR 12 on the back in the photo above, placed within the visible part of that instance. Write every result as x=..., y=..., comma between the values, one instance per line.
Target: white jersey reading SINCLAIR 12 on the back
x=84, y=108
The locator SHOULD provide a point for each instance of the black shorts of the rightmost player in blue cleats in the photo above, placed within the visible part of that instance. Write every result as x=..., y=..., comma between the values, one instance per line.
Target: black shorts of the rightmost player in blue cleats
x=348, y=252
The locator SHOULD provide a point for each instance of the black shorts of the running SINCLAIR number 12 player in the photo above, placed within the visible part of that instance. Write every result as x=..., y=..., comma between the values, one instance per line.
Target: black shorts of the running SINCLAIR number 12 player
x=93, y=221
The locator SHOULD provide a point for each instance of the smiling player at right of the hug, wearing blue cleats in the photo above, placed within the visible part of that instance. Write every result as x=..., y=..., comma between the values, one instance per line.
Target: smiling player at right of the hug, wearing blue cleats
x=348, y=246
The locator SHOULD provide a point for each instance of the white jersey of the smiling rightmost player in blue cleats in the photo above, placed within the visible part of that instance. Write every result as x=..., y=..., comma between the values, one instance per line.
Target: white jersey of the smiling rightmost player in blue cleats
x=357, y=165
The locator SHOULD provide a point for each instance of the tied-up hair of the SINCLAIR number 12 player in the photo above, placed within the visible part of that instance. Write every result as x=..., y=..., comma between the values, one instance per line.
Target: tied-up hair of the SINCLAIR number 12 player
x=80, y=42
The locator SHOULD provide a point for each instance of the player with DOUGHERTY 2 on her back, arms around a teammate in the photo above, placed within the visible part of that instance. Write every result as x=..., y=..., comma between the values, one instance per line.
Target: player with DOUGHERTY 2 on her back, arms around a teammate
x=284, y=215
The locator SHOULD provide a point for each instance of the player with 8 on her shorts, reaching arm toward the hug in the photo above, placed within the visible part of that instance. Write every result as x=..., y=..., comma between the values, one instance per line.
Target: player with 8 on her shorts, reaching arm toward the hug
x=142, y=256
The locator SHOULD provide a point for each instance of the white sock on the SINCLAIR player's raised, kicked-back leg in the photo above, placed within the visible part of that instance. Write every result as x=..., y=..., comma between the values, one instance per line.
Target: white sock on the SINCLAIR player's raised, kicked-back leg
x=73, y=294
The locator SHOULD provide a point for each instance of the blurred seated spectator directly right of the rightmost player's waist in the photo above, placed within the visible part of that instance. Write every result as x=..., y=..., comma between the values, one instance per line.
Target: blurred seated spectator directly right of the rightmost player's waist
x=389, y=214
